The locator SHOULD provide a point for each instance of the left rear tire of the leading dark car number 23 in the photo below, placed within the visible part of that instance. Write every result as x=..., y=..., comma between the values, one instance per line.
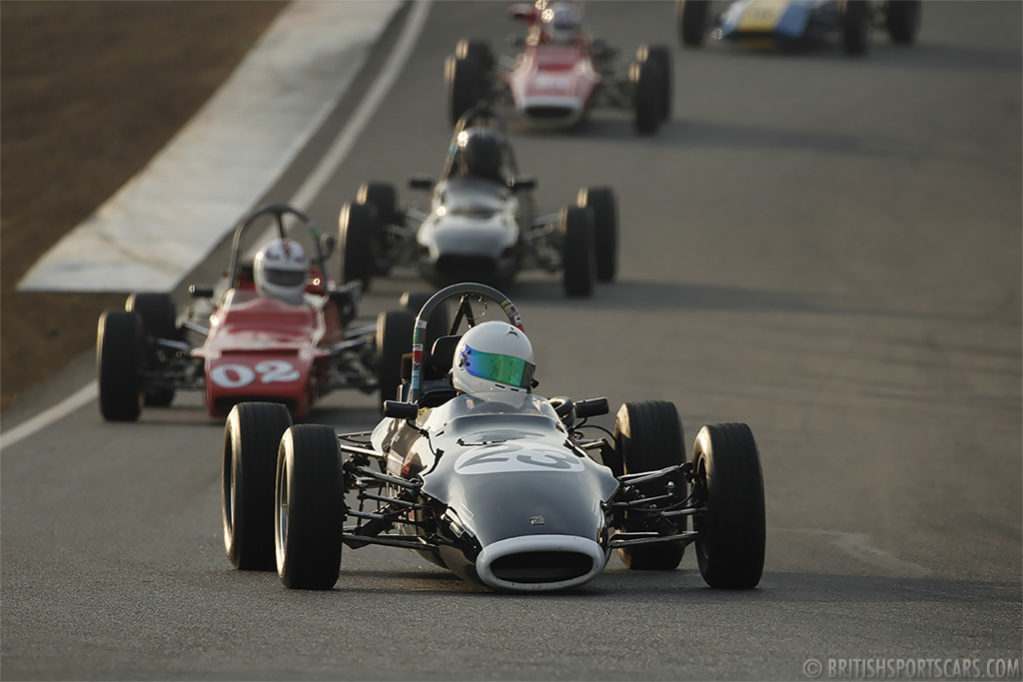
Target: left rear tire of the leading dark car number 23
x=252, y=437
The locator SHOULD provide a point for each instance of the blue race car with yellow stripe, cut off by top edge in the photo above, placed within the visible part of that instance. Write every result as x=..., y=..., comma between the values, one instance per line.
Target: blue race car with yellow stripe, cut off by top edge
x=789, y=24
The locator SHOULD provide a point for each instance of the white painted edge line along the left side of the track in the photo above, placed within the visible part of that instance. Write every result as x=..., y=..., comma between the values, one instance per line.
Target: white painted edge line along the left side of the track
x=304, y=196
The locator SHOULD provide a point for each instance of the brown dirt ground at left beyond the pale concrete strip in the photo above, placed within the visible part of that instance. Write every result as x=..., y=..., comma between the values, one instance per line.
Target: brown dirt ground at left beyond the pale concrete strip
x=90, y=93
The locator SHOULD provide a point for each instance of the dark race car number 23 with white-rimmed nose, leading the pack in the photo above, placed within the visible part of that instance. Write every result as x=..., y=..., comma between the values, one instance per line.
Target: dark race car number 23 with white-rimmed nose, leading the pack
x=479, y=474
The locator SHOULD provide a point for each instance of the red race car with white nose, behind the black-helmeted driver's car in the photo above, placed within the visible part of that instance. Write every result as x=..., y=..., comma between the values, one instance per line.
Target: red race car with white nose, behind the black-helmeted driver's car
x=561, y=75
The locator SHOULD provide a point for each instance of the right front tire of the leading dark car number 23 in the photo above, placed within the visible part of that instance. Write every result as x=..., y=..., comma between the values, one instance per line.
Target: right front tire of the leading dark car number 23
x=731, y=548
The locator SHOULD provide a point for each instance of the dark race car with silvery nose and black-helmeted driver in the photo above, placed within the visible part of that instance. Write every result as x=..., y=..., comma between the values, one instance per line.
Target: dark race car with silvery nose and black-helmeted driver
x=481, y=224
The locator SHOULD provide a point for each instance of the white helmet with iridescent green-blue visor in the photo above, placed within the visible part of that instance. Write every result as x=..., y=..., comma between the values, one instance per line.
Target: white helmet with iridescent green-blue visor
x=495, y=361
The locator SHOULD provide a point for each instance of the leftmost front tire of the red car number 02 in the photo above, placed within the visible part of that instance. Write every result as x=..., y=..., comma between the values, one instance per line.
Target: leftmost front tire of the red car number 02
x=120, y=357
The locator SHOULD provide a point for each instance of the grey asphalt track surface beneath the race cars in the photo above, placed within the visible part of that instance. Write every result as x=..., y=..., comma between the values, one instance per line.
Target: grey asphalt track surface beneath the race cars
x=827, y=249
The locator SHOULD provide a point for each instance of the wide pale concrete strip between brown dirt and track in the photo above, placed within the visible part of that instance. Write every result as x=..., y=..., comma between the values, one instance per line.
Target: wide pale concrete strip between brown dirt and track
x=169, y=217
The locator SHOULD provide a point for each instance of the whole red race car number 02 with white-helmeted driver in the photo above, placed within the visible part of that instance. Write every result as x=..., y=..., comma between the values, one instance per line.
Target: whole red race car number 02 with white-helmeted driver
x=275, y=330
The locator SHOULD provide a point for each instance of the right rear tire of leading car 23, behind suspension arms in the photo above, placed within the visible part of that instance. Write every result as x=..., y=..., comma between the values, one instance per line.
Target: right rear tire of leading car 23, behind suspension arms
x=649, y=437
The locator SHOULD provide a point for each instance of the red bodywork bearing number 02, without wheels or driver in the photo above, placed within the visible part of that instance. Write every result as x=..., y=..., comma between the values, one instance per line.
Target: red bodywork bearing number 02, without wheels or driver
x=260, y=349
